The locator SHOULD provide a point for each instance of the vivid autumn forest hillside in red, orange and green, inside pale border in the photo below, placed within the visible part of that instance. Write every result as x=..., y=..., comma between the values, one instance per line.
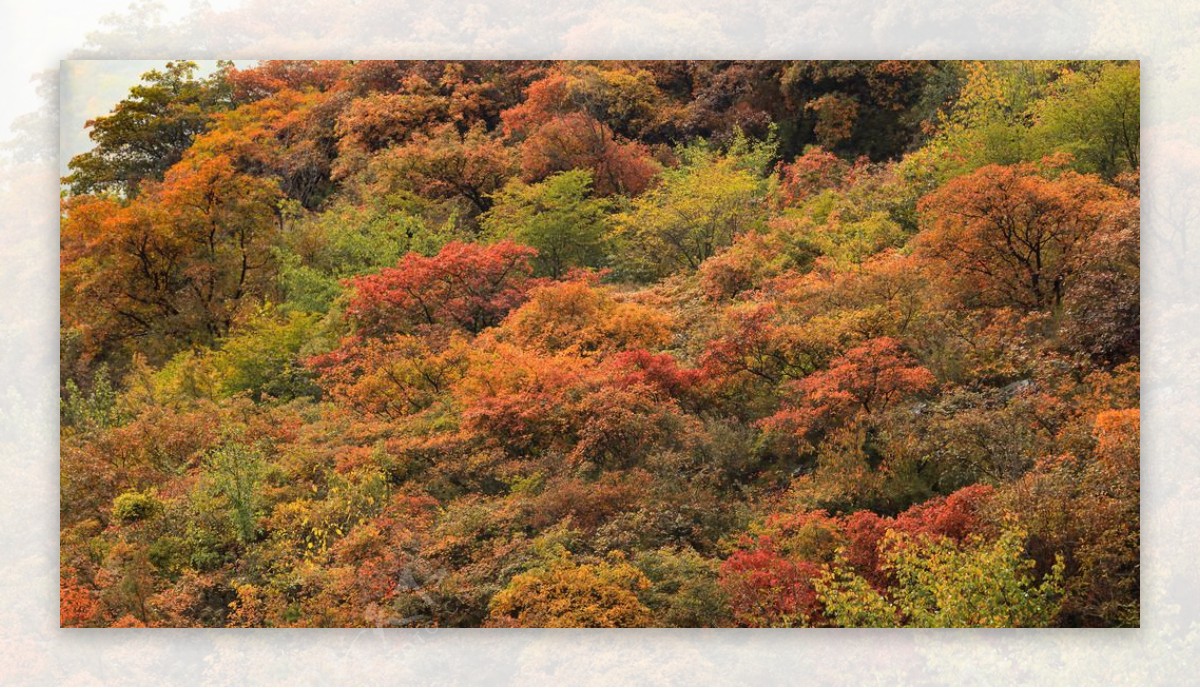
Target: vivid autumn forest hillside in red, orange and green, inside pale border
x=604, y=344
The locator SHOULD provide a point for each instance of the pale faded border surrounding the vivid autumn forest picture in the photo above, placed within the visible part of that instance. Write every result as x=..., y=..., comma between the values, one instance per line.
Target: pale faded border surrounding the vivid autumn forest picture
x=34, y=37
